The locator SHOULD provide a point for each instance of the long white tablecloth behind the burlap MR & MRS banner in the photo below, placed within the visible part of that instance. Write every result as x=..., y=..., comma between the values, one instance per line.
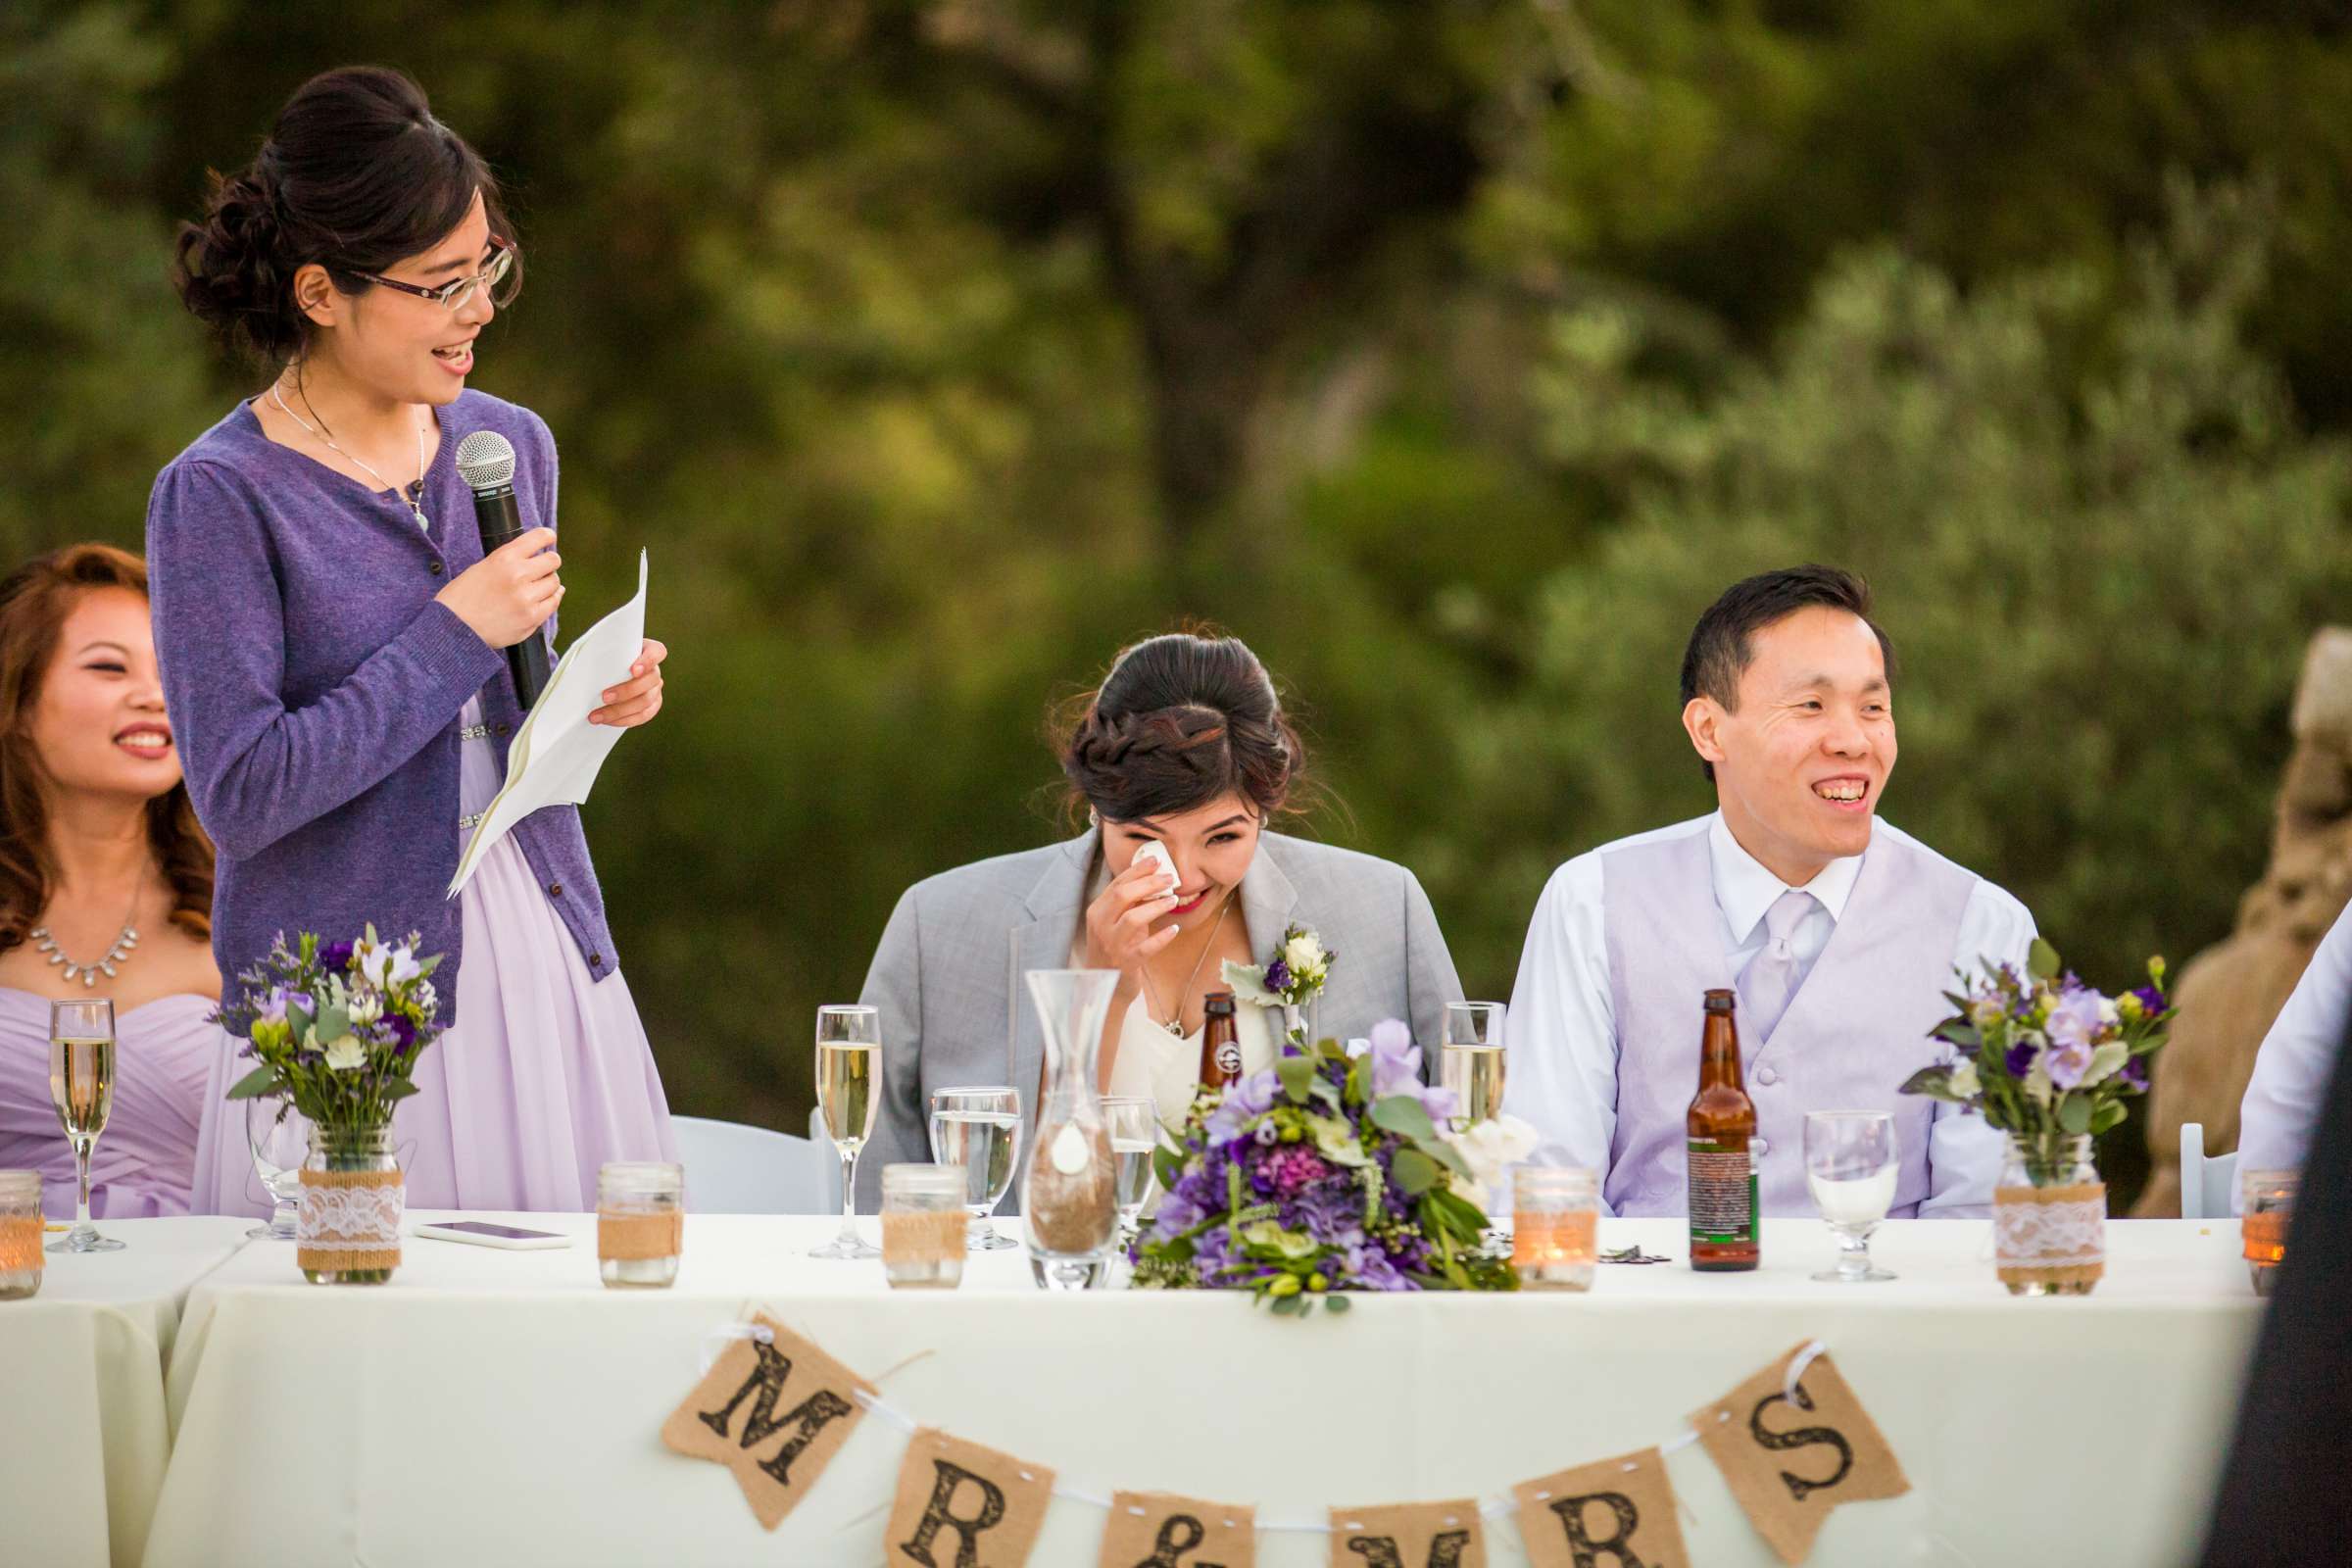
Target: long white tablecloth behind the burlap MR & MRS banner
x=502, y=1407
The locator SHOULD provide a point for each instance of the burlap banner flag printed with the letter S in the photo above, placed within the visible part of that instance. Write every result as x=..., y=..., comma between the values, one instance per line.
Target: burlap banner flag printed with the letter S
x=1798, y=1452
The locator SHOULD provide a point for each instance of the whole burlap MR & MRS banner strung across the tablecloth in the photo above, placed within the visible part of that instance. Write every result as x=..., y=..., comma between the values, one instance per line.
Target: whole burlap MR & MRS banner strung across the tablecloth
x=775, y=1409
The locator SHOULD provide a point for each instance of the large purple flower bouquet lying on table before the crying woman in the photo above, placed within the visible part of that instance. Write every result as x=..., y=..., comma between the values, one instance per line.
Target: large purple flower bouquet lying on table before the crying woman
x=1318, y=1177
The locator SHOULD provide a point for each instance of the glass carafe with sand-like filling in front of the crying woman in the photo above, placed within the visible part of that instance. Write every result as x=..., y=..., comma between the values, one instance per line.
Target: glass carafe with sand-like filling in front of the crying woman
x=1069, y=1188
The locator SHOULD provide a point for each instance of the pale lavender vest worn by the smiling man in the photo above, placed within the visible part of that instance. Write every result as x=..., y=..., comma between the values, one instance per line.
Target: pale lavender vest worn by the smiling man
x=1852, y=1033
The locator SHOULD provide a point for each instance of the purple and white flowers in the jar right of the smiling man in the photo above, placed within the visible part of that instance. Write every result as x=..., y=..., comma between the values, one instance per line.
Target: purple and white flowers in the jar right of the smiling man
x=2045, y=1057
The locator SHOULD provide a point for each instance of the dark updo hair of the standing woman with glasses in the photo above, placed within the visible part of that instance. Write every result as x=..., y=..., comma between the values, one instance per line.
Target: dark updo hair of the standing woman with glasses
x=356, y=177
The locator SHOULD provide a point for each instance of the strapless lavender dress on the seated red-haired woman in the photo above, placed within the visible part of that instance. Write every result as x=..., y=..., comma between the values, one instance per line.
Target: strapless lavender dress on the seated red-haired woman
x=140, y=1170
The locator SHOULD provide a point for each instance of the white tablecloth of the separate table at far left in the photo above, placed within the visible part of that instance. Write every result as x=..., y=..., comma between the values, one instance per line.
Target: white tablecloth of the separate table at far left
x=83, y=1435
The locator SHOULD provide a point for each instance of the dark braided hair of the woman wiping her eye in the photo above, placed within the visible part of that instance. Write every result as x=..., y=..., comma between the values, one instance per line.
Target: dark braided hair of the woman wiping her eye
x=1180, y=723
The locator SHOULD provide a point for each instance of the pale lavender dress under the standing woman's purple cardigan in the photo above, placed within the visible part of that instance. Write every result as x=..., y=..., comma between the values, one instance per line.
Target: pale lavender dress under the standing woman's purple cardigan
x=547, y=1076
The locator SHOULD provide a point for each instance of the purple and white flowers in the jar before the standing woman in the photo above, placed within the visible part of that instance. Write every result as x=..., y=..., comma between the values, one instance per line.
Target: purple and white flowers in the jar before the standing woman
x=335, y=1026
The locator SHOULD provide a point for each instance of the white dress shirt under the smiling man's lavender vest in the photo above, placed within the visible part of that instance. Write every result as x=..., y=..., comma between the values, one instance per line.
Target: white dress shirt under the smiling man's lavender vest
x=1563, y=1021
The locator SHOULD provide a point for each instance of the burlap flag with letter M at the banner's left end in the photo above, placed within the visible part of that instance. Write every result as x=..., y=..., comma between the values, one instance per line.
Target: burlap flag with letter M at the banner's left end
x=777, y=1388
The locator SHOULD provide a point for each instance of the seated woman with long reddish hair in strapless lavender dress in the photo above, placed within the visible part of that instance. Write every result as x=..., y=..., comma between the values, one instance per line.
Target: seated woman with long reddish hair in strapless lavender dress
x=102, y=869
